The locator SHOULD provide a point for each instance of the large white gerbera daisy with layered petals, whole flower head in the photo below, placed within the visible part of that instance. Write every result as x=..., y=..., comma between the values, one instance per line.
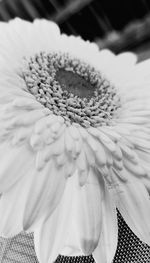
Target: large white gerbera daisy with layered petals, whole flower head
x=74, y=141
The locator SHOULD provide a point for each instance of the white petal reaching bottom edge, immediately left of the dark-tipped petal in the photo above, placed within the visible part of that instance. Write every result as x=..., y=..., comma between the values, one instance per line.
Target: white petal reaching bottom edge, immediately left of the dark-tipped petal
x=50, y=235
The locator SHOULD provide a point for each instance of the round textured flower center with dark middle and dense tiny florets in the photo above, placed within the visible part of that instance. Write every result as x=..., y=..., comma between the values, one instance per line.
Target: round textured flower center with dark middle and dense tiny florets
x=71, y=88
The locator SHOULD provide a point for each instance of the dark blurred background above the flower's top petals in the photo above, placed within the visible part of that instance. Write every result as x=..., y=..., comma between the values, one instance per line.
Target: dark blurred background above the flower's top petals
x=119, y=25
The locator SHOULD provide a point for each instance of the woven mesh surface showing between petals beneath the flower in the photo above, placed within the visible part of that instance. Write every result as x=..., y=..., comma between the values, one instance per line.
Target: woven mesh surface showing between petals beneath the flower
x=129, y=249
